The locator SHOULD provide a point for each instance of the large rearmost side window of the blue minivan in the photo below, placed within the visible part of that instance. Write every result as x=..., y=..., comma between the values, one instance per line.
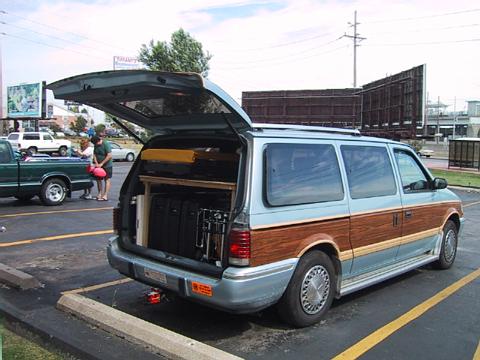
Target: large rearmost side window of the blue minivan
x=301, y=174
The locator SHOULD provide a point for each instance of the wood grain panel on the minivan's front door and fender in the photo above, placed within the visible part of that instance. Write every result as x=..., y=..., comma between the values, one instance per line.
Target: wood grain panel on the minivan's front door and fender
x=427, y=217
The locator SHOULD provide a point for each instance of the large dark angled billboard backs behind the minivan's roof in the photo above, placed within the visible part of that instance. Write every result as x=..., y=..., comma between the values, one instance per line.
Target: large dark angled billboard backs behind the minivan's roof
x=391, y=107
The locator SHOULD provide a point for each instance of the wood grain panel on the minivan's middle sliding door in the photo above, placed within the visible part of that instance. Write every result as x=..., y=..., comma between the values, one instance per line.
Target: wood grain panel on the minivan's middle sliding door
x=373, y=228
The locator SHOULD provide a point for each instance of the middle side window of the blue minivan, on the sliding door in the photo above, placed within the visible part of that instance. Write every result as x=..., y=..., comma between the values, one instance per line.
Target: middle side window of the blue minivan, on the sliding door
x=369, y=171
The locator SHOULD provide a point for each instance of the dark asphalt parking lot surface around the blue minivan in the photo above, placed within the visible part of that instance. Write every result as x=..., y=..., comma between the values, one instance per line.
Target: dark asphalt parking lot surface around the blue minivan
x=64, y=248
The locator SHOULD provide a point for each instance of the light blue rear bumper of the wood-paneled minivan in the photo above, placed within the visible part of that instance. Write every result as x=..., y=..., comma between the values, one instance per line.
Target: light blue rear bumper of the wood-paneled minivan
x=239, y=290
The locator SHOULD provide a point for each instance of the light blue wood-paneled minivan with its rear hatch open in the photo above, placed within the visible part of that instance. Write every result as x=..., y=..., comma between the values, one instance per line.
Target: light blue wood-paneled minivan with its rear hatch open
x=241, y=216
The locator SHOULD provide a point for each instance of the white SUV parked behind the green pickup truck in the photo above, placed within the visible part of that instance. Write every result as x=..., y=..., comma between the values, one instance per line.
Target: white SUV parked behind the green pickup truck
x=37, y=141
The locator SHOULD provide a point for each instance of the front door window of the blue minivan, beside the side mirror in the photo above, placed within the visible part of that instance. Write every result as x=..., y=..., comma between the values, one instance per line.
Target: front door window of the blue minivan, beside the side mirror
x=412, y=176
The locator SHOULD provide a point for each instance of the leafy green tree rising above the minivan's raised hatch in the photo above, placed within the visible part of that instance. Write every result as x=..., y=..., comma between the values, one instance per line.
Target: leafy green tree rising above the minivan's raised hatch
x=183, y=53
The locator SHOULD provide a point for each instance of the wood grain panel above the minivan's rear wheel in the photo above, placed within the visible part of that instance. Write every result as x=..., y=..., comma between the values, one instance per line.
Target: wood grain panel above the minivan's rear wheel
x=285, y=242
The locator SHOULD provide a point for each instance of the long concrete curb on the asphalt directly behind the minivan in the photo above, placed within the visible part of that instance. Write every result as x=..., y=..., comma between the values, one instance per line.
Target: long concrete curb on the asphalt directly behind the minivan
x=161, y=340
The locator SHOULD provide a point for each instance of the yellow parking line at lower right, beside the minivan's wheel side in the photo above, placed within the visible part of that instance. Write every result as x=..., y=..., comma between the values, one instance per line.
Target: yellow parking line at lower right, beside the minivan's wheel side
x=381, y=334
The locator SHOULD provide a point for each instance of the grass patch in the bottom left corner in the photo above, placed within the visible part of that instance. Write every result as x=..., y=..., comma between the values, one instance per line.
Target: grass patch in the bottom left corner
x=15, y=347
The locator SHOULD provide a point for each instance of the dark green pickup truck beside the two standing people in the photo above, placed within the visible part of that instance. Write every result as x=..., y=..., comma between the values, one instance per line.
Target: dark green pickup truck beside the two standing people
x=52, y=179
